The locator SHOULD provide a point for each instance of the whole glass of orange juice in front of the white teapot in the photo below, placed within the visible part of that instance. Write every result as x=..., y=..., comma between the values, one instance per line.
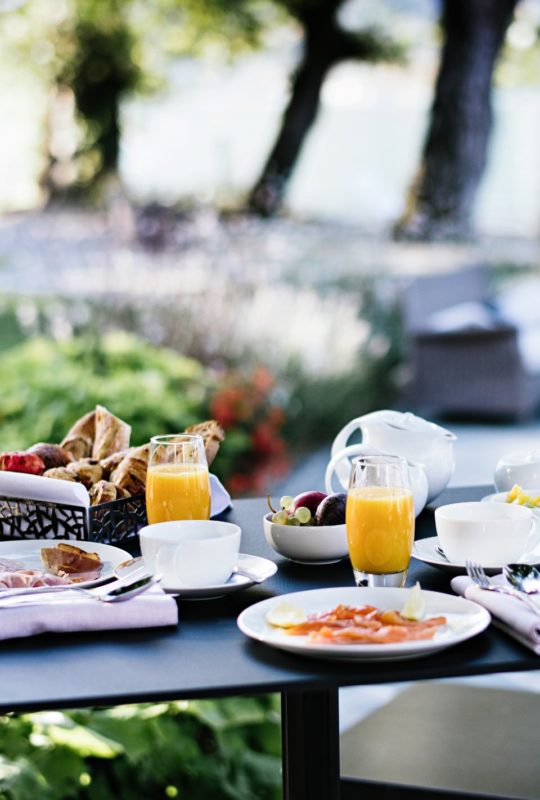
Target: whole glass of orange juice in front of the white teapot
x=380, y=520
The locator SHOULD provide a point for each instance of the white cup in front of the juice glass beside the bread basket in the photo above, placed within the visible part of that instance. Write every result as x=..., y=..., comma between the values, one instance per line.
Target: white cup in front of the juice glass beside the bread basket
x=191, y=553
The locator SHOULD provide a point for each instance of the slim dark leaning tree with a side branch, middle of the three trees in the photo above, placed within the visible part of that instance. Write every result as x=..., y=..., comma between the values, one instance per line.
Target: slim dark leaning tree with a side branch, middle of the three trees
x=325, y=44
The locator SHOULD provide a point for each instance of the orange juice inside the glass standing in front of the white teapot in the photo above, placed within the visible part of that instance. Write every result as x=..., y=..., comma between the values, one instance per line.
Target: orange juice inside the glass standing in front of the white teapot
x=380, y=528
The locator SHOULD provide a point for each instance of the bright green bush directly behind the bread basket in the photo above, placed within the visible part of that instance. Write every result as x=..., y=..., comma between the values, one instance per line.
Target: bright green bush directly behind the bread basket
x=46, y=386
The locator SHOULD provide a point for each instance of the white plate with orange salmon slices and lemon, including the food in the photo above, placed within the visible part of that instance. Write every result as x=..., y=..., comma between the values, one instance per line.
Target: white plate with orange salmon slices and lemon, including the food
x=356, y=624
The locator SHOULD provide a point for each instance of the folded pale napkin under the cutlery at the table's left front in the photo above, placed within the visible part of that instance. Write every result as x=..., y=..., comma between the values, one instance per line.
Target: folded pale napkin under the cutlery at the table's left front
x=67, y=612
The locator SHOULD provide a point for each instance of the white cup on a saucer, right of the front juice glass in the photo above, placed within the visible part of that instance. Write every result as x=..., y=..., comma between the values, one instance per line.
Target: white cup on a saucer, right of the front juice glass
x=494, y=534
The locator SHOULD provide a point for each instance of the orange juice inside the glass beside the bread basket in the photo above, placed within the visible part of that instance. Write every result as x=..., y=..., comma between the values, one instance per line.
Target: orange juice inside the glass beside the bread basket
x=177, y=491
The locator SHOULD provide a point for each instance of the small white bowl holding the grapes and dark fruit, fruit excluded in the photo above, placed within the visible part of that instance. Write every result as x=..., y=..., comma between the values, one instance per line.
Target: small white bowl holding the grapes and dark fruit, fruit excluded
x=307, y=544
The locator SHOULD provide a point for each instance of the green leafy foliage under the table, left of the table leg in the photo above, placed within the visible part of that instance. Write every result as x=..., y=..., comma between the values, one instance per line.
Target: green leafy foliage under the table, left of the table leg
x=204, y=750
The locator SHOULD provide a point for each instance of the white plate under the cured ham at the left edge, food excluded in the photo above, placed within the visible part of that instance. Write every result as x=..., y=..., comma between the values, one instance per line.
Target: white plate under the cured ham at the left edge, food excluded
x=28, y=551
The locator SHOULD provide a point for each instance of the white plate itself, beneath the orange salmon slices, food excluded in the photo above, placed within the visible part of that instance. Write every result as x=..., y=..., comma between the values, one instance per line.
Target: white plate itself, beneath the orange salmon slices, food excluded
x=464, y=620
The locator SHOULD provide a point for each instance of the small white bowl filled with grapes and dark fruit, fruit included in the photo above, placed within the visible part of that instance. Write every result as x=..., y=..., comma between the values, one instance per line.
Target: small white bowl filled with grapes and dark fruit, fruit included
x=308, y=528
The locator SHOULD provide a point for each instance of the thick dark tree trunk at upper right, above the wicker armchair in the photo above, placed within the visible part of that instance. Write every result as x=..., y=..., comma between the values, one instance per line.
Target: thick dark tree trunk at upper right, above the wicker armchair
x=442, y=197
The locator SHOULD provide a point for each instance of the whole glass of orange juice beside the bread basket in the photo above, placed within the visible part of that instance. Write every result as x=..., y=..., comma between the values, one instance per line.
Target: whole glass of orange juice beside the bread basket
x=177, y=480
